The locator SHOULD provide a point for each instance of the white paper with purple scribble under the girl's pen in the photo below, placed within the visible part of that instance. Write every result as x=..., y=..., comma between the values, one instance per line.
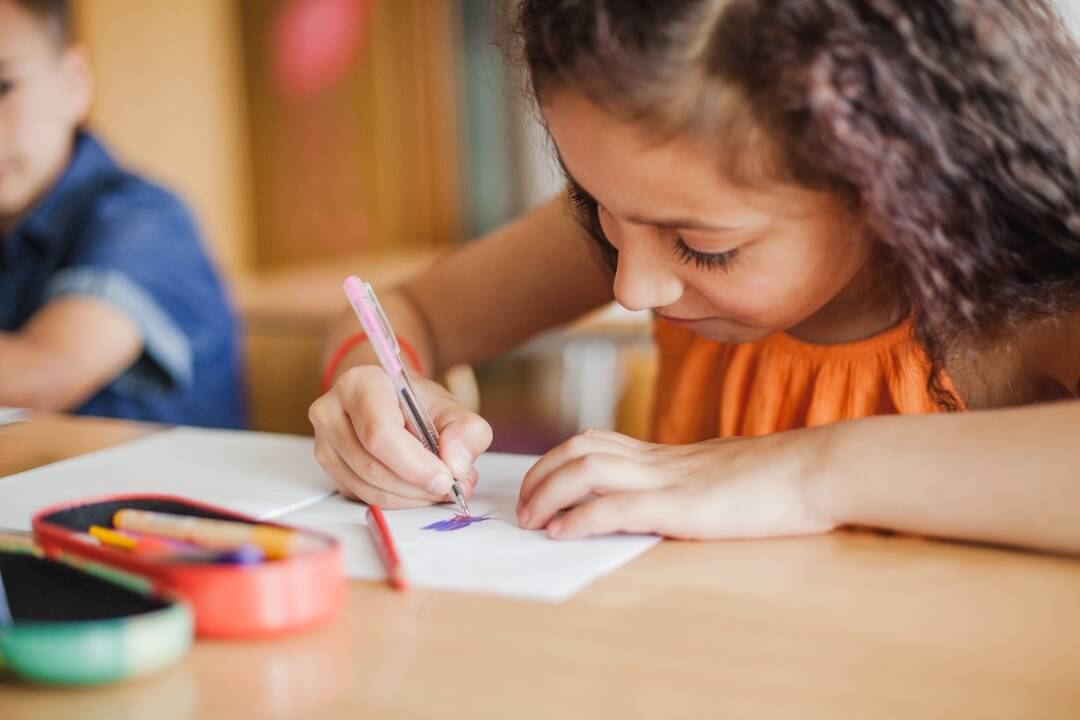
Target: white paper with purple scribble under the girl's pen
x=494, y=556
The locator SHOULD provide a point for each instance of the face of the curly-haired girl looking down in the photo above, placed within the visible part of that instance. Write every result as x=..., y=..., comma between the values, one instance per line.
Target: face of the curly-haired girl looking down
x=731, y=264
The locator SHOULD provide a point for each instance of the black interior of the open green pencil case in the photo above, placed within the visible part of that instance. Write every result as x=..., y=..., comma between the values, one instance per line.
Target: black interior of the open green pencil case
x=40, y=590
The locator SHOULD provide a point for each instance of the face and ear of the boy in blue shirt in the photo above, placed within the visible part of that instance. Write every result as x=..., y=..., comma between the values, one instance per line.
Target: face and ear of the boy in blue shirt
x=45, y=94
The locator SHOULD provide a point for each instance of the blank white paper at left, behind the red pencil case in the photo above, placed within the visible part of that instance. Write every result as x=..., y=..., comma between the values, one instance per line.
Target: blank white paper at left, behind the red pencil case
x=260, y=474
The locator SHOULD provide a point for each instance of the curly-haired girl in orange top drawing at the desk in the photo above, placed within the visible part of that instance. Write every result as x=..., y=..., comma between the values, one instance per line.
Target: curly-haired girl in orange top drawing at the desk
x=836, y=210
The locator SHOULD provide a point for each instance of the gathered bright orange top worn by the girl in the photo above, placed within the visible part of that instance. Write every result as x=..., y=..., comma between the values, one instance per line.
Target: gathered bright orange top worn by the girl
x=708, y=389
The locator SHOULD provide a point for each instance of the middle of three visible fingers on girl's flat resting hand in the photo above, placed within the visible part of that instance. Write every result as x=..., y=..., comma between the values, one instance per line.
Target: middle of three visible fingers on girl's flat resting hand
x=597, y=473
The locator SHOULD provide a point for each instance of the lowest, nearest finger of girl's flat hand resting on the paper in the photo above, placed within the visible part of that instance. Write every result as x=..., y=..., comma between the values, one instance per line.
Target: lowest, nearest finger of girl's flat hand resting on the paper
x=646, y=512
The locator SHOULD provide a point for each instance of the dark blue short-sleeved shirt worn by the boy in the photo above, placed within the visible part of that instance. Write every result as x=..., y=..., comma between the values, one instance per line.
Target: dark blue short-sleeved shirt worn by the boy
x=107, y=234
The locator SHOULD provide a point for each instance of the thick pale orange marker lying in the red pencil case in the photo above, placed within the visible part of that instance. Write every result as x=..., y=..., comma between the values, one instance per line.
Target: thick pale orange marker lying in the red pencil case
x=275, y=542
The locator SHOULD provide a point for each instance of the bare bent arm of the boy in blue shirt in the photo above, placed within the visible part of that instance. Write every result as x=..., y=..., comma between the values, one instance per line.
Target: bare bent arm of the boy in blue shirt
x=65, y=354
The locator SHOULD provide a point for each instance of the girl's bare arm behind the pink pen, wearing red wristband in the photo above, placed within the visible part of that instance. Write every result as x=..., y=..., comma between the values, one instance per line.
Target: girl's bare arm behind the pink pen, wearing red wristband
x=485, y=298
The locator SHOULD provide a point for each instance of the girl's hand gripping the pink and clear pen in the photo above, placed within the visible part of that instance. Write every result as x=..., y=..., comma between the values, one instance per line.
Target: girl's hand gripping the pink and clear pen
x=362, y=442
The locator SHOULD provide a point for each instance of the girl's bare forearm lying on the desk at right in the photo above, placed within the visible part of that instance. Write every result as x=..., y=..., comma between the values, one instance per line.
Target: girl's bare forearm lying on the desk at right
x=1006, y=477
